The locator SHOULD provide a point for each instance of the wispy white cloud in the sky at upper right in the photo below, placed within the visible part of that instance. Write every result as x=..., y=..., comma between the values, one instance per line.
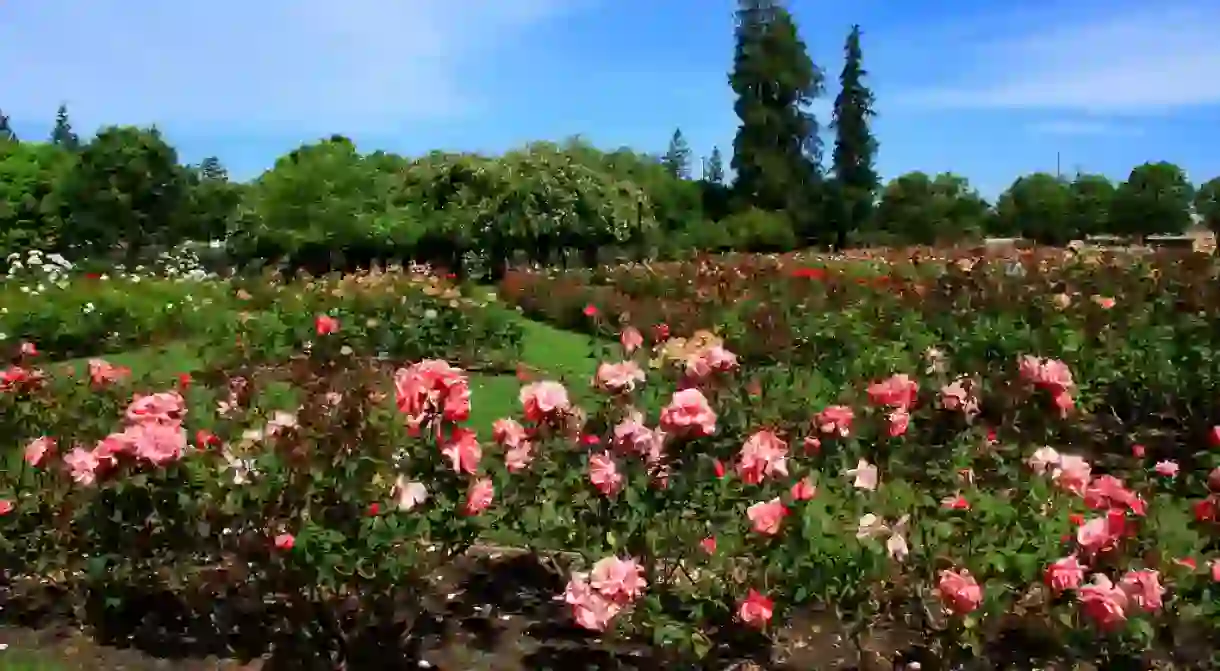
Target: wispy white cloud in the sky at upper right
x=1124, y=60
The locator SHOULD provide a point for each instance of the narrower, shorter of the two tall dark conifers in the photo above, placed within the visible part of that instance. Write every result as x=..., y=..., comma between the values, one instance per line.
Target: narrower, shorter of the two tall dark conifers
x=856, y=149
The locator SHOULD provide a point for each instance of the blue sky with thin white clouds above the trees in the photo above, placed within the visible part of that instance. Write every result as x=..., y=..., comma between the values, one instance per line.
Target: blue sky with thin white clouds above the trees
x=985, y=88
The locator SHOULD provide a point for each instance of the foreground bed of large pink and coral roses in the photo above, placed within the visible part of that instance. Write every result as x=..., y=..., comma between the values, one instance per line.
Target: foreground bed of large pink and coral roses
x=966, y=501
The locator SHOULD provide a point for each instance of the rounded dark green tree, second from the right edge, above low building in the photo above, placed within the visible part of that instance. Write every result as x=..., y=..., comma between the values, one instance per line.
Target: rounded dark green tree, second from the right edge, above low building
x=1155, y=199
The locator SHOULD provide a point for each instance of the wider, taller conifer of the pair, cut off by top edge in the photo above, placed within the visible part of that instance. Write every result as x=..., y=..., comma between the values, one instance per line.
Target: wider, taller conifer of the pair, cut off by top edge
x=778, y=151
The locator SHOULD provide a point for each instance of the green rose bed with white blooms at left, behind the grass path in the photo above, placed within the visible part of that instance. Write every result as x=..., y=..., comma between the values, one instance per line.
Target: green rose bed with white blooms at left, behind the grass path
x=393, y=315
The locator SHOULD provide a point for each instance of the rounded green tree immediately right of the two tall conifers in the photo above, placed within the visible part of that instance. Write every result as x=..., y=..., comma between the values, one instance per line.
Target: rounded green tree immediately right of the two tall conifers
x=925, y=210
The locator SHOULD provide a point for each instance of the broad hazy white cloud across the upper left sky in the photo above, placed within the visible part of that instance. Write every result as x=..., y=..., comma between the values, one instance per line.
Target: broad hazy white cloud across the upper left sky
x=318, y=65
